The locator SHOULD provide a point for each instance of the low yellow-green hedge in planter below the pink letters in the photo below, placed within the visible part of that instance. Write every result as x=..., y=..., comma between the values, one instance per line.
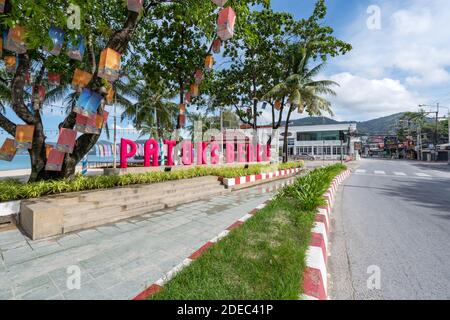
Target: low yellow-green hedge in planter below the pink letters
x=15, y=190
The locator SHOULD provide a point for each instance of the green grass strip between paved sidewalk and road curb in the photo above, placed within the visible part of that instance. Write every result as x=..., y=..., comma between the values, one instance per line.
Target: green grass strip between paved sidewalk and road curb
x=265, y=257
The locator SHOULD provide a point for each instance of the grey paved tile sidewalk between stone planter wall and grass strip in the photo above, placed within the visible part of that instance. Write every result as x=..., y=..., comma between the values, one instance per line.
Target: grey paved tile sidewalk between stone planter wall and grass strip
x=120, y=260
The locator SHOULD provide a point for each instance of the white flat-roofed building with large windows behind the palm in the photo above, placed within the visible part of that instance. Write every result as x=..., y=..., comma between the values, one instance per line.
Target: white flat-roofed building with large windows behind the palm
x=321, y=141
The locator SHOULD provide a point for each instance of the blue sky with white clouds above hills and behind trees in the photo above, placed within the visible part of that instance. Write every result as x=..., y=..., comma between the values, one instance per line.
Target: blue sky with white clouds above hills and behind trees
x=395, y=65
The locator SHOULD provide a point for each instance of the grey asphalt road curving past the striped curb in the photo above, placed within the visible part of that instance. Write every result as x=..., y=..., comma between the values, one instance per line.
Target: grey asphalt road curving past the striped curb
x=392, y=217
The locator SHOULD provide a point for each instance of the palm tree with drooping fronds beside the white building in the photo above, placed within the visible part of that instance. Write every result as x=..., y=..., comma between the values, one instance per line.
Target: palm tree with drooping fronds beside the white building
x=300, y=89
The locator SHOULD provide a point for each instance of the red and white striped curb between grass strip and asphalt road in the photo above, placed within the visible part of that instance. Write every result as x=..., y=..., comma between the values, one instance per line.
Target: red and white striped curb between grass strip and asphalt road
x=315, y=282
